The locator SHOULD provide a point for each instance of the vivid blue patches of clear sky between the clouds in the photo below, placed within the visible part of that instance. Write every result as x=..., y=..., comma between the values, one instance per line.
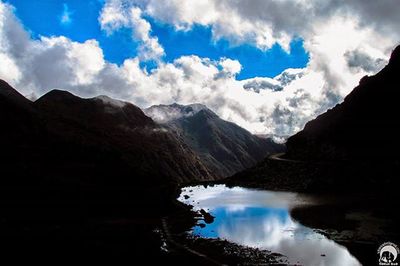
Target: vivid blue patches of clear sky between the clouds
x=78, y=20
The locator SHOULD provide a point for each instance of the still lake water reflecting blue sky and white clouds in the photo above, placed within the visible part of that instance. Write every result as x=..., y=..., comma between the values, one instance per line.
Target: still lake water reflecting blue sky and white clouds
x=261, y=219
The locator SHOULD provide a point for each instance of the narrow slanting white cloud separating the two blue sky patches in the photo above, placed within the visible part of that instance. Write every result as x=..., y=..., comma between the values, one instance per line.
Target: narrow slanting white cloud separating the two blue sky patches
x=118, y=14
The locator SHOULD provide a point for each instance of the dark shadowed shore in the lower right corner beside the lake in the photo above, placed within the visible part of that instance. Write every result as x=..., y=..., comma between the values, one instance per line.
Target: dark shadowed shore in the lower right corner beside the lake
x=360, y=222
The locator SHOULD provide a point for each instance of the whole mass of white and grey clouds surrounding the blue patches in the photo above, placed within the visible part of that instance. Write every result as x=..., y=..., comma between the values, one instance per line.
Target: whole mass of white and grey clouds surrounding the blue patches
x=342, y=49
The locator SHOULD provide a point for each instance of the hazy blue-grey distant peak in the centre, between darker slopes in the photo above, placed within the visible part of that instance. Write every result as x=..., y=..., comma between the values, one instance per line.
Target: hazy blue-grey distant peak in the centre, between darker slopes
x=224, y=147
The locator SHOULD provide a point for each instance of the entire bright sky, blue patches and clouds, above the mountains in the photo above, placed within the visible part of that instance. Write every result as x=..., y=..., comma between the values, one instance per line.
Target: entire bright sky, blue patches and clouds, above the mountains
x=269, y=66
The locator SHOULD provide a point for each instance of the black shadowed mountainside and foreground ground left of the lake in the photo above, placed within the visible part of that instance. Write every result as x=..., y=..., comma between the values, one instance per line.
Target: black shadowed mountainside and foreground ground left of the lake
x=86, y=179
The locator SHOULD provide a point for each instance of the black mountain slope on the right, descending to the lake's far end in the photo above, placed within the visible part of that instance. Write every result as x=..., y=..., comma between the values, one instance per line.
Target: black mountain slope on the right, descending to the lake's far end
x=352, y=147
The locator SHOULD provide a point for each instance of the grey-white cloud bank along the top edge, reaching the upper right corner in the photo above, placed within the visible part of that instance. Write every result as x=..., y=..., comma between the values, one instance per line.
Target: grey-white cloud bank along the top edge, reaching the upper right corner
x=266, y=22
